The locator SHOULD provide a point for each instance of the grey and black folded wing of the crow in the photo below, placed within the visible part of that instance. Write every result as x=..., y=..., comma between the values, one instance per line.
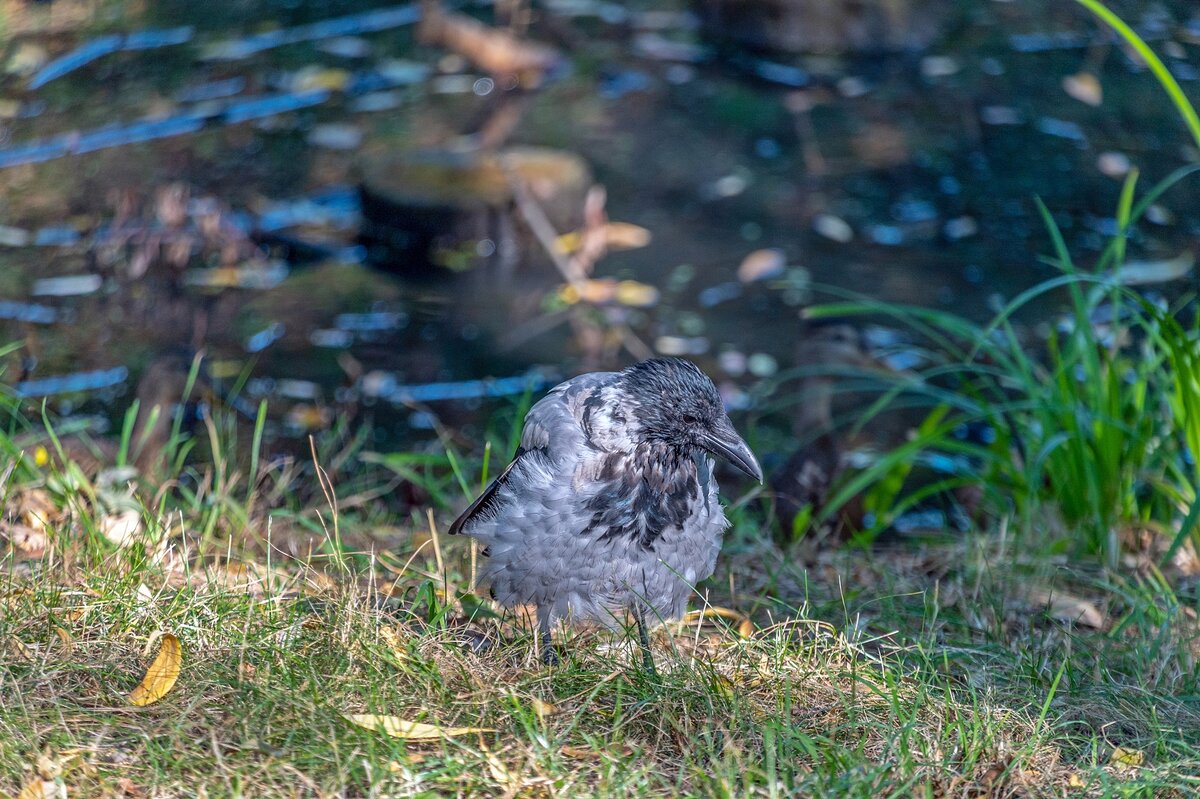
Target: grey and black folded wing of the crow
x=553, y=431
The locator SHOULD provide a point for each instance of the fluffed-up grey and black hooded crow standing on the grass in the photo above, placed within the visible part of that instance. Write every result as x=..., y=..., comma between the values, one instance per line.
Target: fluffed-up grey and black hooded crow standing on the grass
x=610, y=506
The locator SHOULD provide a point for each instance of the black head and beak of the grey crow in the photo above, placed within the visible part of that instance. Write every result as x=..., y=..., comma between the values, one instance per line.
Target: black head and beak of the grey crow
x=677, y=404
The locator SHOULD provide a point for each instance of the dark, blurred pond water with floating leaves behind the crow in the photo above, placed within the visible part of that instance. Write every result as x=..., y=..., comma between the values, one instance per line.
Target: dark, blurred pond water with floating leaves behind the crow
x=182, y=177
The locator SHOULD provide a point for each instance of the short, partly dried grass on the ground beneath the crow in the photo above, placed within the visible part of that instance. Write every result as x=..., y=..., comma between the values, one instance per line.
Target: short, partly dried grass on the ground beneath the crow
x=976, y=687
